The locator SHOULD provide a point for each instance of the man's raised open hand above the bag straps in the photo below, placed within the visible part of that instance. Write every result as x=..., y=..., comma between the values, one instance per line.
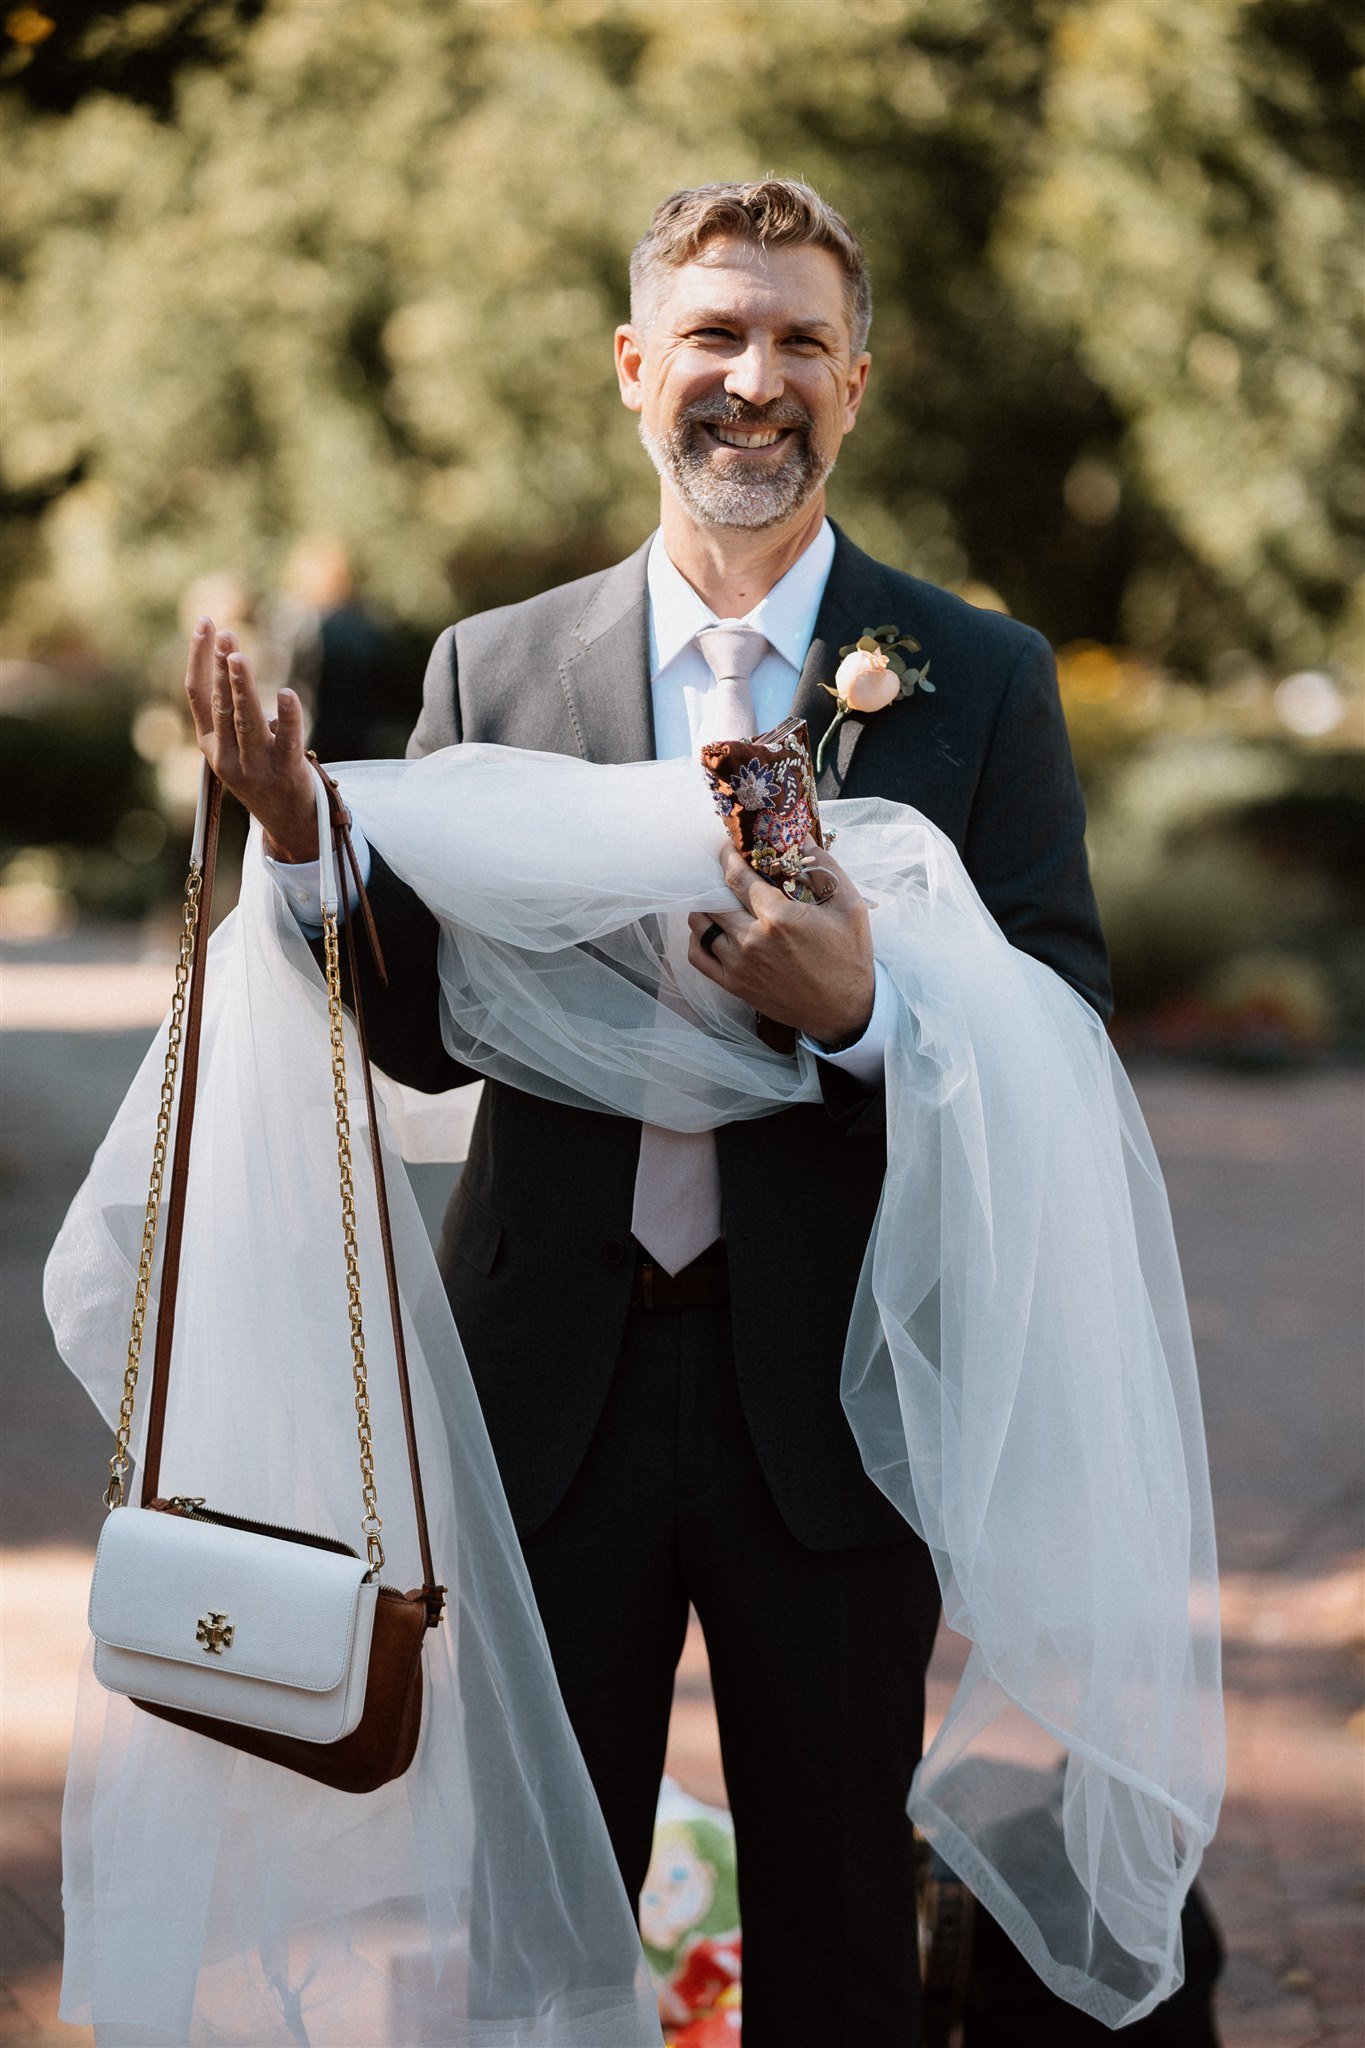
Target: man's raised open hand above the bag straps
x=259, y=759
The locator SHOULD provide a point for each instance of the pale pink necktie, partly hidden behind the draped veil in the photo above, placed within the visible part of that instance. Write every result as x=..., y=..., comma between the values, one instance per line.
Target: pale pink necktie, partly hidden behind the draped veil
x=678, y=1181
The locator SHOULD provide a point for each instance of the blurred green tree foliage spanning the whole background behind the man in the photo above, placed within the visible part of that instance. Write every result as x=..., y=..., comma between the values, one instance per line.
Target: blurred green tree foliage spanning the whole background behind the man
x=365, y=273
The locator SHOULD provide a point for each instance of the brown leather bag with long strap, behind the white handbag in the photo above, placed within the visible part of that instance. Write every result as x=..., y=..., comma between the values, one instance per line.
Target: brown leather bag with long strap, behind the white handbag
x=386, y=1740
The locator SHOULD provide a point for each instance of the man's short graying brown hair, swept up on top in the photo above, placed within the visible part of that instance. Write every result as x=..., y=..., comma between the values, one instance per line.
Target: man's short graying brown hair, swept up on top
x=775, y=214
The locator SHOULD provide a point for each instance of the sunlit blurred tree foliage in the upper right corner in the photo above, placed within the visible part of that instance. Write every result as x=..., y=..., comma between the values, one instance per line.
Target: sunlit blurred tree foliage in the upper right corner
x=1194, y=228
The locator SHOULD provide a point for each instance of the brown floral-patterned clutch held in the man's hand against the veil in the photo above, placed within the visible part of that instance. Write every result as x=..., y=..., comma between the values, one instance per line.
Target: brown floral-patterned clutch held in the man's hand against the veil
x=764, y=792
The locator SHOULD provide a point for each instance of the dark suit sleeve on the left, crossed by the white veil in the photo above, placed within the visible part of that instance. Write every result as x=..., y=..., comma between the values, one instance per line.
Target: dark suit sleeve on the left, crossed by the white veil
x=404, y=1019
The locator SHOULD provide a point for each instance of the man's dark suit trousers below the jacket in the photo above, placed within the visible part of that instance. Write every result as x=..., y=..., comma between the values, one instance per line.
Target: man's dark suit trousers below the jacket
x=818, y=1666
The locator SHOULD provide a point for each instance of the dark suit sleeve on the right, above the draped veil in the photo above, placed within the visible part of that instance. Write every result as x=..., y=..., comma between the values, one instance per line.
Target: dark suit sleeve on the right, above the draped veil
x=1026, y=835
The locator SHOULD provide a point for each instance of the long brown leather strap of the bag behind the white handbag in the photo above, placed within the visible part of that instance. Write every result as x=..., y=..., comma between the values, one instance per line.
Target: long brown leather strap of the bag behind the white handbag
x=181, y=1160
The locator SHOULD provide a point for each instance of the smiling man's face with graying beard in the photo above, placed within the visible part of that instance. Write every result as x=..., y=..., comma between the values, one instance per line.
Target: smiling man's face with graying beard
x=746, y=380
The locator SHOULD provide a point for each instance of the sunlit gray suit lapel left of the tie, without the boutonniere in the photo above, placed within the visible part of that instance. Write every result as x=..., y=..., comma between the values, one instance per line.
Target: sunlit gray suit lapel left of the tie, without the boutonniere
x=607, y=671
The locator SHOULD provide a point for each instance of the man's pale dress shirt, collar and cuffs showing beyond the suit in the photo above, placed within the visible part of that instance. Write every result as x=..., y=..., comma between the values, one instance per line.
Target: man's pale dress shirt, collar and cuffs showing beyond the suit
x=680, y=683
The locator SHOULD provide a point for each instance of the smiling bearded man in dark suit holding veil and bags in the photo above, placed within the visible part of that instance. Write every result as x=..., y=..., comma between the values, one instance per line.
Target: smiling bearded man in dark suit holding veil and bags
x=656, y=1322
